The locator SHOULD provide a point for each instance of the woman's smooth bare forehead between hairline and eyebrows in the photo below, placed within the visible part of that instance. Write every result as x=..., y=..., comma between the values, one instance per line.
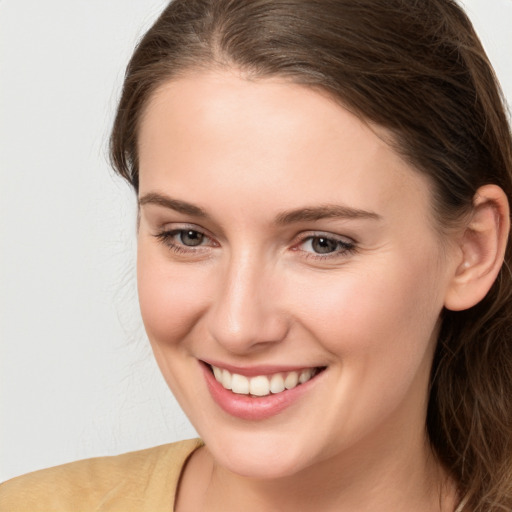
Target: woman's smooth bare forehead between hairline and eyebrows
x=268, y=137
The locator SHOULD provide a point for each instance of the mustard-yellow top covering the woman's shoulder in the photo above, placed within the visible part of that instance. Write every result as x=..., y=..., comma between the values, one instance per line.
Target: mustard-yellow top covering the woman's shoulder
x=141, y=480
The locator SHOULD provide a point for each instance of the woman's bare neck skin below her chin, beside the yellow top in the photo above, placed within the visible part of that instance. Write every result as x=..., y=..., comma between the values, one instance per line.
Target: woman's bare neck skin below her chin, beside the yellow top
x=206, y=487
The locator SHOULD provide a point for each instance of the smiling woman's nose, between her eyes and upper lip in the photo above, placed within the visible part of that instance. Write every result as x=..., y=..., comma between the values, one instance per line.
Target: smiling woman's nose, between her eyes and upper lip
x=246, y=315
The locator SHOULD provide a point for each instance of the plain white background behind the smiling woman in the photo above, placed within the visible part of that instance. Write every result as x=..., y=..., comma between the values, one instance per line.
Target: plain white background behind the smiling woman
x=77, y=378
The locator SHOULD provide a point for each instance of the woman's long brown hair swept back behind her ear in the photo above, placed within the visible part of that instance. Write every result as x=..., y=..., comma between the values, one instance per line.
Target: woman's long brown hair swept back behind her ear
x=418, y=69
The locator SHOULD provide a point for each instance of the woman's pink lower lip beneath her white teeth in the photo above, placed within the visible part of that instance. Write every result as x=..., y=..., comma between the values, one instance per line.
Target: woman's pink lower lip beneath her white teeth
x=247, y=407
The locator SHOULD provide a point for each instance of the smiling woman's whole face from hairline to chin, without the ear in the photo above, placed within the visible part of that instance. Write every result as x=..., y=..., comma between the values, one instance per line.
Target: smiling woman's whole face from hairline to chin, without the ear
x=282, y=240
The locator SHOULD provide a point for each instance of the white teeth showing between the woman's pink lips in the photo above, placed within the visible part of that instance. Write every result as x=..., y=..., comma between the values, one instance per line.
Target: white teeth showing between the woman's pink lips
x=263, y=385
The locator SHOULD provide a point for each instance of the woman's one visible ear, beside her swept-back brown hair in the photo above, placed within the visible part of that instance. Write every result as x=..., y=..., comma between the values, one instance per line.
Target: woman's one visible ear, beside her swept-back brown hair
x=482, y=249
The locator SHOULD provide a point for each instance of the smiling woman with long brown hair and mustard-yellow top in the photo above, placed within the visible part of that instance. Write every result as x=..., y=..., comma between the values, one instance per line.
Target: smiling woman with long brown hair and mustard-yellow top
x=323, y=223
